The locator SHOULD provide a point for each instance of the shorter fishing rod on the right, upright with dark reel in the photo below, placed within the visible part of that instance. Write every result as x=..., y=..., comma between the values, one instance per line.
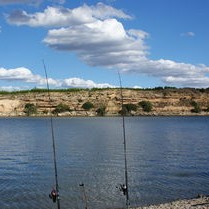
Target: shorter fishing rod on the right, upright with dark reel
x=124, y=187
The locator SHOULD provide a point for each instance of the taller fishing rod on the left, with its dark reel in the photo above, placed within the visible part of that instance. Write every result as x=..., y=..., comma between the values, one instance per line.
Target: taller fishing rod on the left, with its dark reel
x=56, y=197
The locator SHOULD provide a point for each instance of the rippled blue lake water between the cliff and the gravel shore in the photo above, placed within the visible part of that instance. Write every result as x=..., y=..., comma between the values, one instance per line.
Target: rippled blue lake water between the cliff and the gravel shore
x=168, y=159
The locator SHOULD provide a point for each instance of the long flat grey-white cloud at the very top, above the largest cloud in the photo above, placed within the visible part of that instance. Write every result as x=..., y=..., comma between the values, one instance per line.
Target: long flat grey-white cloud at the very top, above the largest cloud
x=62, y=17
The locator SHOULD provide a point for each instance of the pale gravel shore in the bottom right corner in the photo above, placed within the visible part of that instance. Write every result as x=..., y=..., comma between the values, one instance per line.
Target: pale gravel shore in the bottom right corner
x=198, y=203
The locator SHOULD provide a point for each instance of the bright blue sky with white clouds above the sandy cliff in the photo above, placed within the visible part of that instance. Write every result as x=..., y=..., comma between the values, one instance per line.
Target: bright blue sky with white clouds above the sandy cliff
x=85, y=43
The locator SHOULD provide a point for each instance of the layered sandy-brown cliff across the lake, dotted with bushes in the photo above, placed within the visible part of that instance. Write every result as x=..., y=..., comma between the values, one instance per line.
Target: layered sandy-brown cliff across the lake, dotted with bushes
x=164, y=102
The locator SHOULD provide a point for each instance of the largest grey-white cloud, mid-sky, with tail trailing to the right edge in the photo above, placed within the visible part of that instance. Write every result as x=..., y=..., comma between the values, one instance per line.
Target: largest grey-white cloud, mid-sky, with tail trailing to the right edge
x=123, y=50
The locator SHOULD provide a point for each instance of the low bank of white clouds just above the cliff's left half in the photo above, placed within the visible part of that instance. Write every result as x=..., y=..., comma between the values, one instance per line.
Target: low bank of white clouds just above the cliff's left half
x=26, y=75
